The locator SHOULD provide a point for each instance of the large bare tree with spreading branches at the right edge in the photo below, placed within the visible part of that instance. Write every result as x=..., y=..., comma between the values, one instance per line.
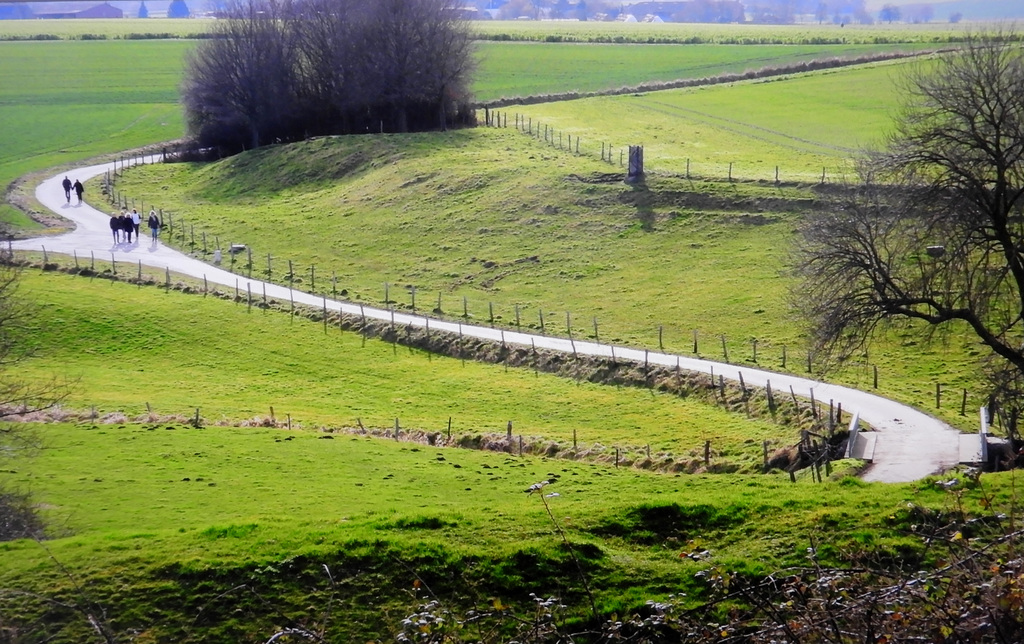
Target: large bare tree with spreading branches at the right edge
x=935, y=234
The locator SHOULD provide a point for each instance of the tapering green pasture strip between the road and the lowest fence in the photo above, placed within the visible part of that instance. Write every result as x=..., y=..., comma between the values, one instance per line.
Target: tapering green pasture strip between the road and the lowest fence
x=133, y=347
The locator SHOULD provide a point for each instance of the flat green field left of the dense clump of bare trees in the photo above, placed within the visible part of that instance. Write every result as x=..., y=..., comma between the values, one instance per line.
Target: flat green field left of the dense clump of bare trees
x=69, y=101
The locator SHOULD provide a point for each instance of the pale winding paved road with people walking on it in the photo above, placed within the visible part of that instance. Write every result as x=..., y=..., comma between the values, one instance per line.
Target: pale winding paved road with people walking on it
x=911, y=445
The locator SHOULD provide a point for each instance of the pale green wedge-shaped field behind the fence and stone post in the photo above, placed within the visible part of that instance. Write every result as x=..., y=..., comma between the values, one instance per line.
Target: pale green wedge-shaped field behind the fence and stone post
x=802, y=124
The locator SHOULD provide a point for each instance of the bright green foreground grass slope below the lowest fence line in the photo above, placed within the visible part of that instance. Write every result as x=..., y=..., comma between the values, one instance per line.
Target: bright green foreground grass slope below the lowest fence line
x=211, y=509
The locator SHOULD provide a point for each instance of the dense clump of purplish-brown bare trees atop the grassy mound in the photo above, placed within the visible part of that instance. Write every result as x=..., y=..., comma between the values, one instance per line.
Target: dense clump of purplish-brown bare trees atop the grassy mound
x=287, y=70
